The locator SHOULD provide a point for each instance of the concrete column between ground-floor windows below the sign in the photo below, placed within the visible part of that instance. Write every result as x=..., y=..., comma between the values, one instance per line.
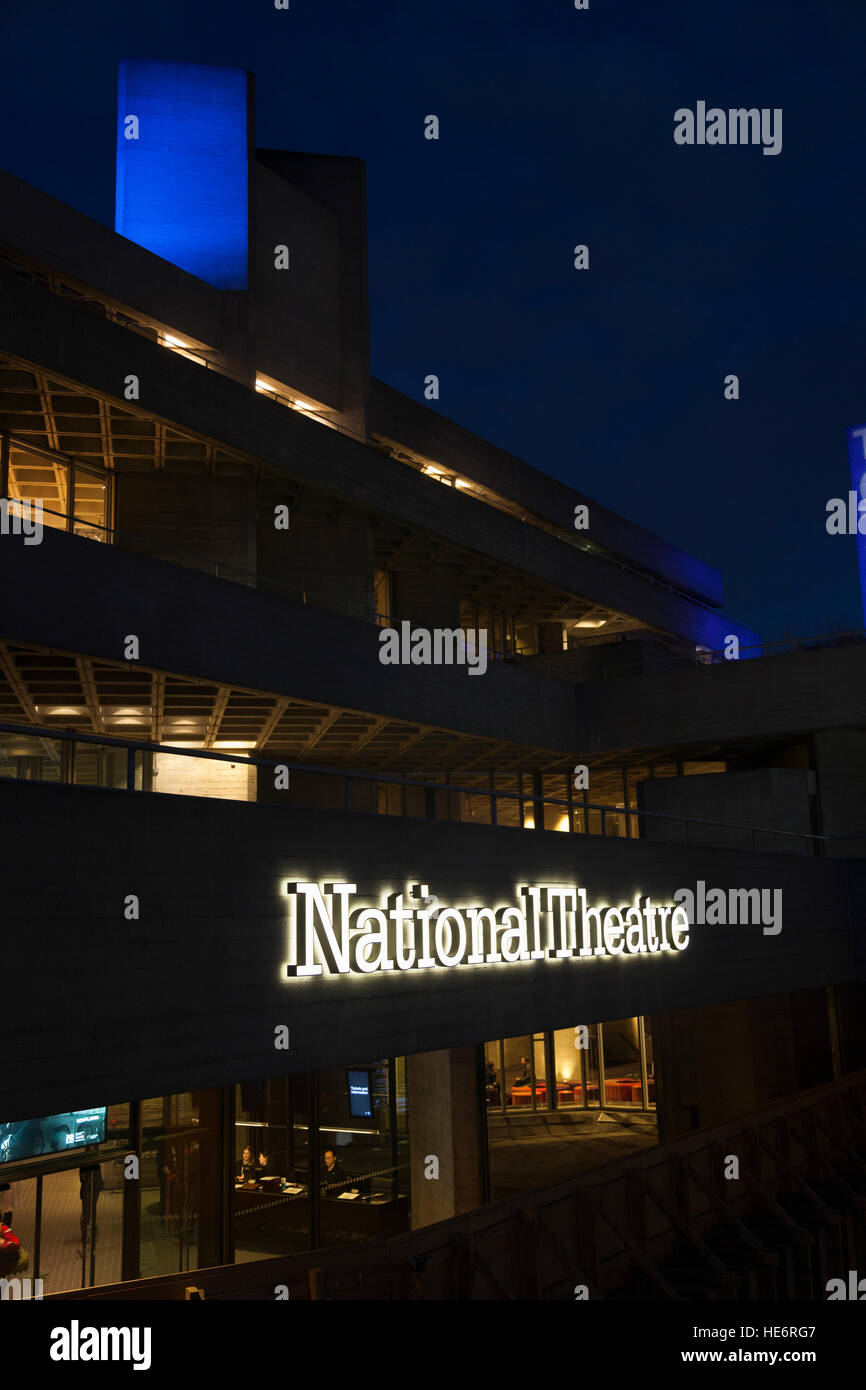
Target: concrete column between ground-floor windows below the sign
x=446, y=1122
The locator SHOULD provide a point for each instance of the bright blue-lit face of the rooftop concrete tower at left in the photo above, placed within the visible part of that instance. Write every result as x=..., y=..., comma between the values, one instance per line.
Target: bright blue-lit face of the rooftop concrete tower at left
x=183, y=166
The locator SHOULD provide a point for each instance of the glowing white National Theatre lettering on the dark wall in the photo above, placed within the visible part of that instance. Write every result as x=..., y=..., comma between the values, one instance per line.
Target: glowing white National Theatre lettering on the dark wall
x=332, y=936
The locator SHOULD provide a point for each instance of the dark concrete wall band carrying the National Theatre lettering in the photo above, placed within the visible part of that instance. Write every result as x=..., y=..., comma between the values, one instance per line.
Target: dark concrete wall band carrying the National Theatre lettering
x=99, y=1010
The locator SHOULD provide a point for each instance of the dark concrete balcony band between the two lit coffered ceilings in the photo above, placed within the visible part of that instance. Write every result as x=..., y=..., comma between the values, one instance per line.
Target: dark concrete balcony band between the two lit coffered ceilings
x=77, y=596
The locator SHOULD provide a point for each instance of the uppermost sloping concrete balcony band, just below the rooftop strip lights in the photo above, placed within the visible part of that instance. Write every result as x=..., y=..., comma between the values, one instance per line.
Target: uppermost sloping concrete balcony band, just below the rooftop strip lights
x=98, y=355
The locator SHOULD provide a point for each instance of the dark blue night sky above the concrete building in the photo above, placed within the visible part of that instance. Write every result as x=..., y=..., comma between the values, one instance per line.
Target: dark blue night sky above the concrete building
x=557, y=129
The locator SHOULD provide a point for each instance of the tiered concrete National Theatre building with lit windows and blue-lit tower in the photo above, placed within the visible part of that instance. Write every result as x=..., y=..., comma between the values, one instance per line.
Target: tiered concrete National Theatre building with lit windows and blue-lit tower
x=224, y=812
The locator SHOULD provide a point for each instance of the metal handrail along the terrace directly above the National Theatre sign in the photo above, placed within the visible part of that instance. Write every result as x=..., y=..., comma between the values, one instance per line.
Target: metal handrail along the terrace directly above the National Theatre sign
x=491, y=794
